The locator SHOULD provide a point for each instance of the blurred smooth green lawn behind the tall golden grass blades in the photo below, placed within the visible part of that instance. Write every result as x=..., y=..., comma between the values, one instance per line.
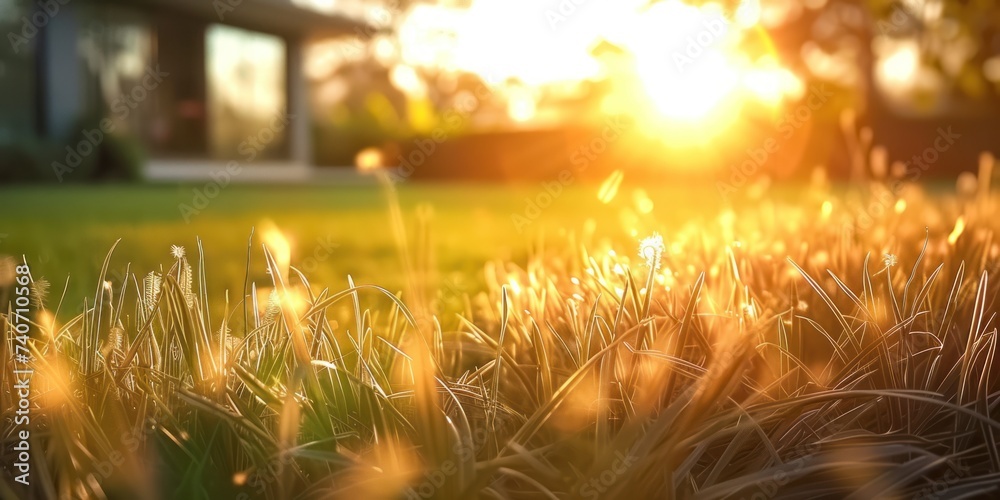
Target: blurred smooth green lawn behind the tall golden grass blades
x=65, y=231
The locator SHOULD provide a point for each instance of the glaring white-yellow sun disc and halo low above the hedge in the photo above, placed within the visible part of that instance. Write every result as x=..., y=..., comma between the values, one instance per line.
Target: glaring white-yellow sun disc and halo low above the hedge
x=692, y=73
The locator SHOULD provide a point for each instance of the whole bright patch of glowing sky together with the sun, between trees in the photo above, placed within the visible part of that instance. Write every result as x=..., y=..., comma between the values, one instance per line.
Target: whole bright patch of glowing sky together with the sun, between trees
x=683, y=69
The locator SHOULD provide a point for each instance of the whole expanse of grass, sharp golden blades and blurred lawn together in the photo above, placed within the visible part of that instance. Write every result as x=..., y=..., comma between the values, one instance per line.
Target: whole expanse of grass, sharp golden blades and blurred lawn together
x=769, y=349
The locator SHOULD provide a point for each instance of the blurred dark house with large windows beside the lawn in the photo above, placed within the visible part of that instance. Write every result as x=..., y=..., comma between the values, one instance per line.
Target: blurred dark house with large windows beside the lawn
x=179, y=88
